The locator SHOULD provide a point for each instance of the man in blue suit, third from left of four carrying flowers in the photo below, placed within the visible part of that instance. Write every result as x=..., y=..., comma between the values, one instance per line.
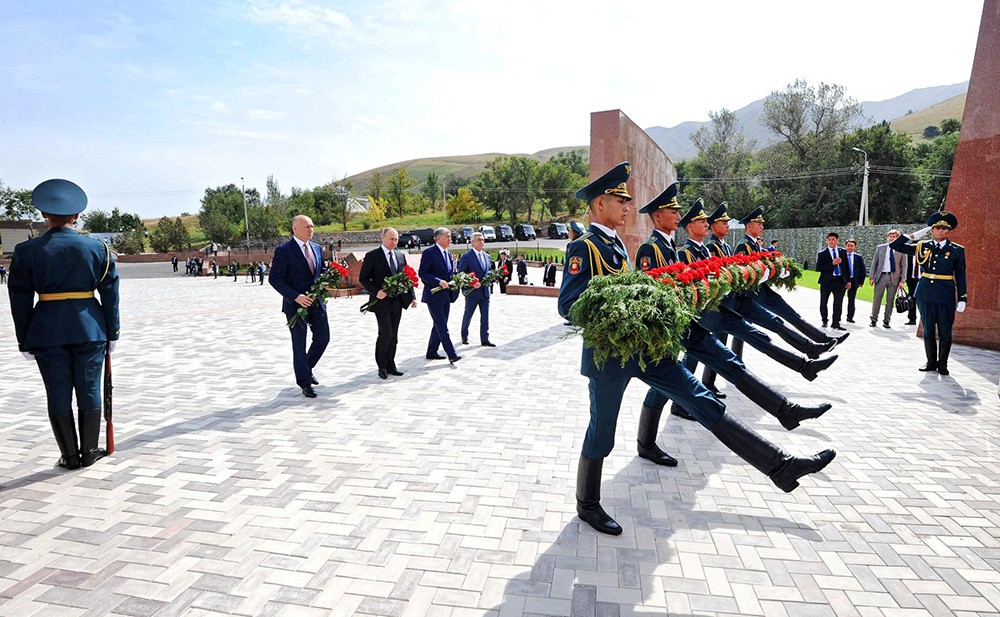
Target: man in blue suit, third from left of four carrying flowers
x=435, y=270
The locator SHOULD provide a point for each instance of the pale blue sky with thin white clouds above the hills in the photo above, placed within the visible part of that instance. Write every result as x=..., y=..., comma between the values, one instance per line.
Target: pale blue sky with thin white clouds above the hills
x=145, y=104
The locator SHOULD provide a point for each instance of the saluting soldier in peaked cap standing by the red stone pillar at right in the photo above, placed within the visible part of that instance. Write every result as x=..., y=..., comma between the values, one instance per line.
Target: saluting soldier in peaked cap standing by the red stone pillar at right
x=941, y=289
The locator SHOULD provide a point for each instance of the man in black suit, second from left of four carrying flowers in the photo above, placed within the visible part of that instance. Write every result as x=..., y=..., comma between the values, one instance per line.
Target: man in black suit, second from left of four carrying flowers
x=379, y=264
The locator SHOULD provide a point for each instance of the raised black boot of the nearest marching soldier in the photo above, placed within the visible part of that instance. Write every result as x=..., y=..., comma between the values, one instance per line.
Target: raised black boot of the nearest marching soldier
x=782, y=468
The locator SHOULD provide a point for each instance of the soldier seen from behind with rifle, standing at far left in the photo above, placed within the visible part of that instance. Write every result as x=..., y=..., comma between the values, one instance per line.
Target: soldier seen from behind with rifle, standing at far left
x=68, y=331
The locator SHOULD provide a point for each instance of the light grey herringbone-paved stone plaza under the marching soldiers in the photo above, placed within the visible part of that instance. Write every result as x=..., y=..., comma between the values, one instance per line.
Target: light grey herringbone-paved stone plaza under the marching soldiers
x=449, y=491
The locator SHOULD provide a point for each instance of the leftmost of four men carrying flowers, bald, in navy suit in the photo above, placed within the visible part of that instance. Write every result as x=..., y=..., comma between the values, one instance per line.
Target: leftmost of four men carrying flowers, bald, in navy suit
x=296, y=266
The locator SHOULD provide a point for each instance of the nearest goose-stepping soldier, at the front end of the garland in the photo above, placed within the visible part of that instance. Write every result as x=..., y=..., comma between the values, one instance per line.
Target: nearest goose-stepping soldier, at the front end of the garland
x=601, y=252
